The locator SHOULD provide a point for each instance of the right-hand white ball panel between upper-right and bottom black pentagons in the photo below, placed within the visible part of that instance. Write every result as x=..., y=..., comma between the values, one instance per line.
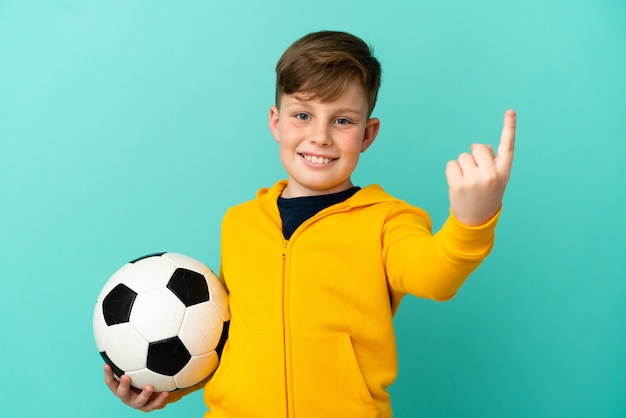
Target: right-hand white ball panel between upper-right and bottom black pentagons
x=201, y=329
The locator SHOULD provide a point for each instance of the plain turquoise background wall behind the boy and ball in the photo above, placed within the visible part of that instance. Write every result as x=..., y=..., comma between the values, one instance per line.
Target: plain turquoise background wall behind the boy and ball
x=128, y=127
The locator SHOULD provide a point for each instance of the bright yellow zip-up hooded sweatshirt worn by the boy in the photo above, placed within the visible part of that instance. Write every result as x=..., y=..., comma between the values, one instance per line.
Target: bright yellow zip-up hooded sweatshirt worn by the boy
x=311, y=333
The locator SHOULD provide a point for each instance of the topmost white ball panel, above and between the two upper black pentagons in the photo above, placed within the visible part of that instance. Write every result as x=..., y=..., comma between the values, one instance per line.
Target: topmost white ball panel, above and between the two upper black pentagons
x=149, y=273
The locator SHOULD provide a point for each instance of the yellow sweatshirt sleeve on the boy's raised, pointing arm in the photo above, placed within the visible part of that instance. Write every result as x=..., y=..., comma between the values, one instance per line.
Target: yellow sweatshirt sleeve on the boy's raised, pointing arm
x=432, y=266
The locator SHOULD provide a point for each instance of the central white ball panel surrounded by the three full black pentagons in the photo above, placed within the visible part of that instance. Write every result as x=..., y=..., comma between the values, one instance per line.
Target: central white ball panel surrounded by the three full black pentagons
x=157, y=314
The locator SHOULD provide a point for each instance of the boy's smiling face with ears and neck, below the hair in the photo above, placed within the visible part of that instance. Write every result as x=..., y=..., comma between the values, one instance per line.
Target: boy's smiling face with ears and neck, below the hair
x=320, y=142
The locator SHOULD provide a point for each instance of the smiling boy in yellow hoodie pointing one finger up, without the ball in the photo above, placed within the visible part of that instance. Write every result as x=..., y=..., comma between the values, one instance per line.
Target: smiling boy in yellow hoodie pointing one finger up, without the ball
x=316, y=267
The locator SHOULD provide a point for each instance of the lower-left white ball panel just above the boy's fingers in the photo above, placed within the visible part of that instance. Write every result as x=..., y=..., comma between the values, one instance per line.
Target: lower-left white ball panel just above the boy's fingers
x=125, y=347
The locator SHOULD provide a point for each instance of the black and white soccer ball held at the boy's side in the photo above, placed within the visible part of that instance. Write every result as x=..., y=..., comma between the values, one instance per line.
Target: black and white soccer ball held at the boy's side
x=163, y=320
